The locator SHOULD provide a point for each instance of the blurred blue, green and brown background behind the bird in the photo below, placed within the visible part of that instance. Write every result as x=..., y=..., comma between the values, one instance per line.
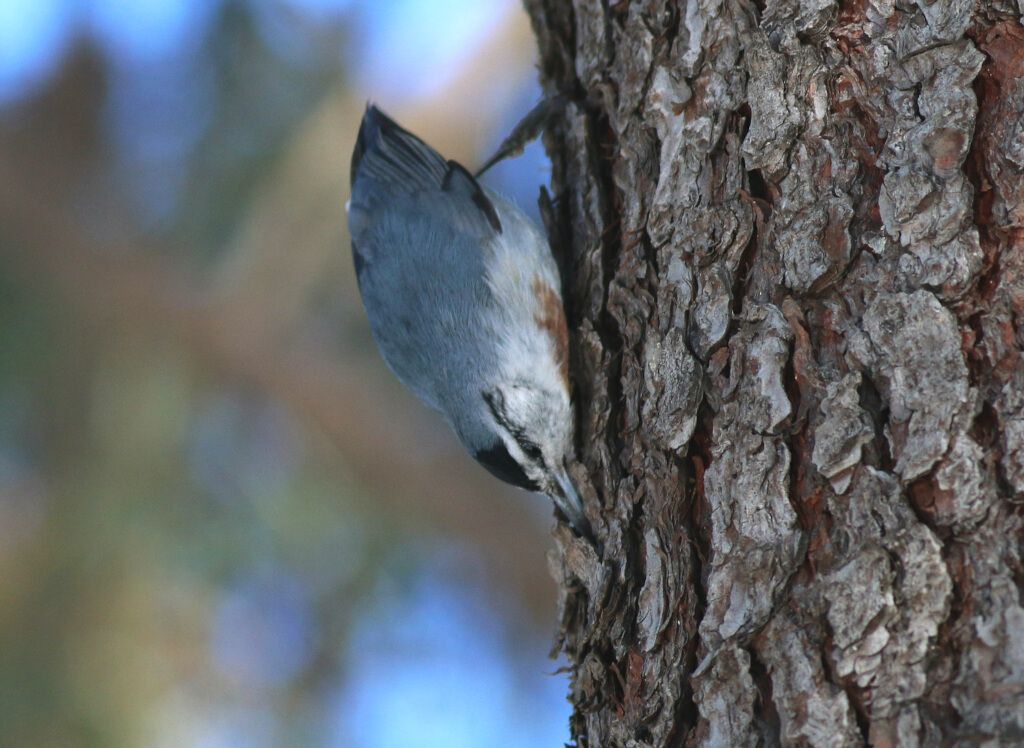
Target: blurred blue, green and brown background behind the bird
x=223, y=521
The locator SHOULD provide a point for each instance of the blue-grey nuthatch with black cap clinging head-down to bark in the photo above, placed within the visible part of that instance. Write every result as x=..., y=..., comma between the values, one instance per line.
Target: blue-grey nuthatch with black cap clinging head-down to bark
x=464, y=301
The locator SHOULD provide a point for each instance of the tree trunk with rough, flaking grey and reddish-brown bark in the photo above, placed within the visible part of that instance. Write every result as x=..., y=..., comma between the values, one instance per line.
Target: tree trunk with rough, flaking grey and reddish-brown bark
x=794, y=243
